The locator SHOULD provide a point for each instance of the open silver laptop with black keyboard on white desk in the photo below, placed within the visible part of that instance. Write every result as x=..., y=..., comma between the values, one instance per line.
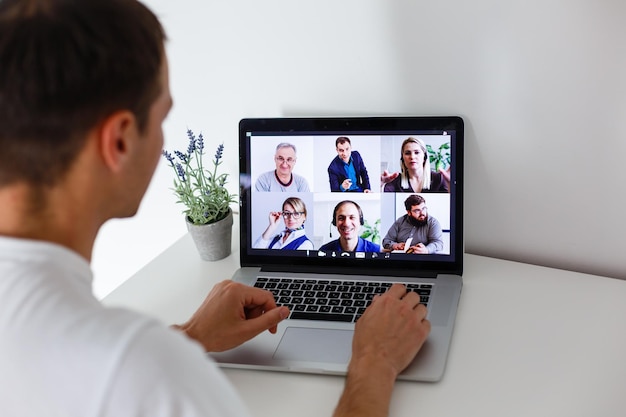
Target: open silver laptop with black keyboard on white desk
x=319, y=219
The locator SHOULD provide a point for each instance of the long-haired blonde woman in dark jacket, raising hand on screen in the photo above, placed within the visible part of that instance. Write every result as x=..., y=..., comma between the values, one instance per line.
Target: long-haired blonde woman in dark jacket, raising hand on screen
x=415, y=174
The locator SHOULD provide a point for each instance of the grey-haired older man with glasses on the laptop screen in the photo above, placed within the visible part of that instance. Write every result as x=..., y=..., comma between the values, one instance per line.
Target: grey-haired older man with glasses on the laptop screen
x=282, y=178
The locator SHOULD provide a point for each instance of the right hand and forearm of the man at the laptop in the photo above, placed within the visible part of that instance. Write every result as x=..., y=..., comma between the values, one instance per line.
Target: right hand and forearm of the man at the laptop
x=386, y=339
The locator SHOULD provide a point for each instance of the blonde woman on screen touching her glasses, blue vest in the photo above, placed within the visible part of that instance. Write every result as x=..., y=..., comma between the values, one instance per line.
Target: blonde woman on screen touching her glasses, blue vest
x=293, y=236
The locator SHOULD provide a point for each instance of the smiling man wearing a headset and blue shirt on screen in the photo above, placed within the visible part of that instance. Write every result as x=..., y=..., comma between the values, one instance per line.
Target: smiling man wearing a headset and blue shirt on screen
x=348, y=218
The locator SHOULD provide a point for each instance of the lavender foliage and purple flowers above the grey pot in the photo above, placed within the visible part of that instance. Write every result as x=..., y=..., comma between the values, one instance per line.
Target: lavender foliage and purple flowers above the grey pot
x=202, y=191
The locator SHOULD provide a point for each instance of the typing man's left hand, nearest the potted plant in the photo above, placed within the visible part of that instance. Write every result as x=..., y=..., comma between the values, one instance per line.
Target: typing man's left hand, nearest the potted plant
x=231, y=314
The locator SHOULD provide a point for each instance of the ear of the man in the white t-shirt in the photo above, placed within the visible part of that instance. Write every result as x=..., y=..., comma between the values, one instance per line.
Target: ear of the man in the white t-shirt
x=115, y=138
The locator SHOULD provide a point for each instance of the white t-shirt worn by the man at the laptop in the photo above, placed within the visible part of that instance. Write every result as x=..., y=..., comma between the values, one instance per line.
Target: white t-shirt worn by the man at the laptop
x=62, y=353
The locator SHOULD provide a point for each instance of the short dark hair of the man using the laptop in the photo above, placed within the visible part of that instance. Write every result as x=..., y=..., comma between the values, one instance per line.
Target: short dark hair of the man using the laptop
x=65, y=65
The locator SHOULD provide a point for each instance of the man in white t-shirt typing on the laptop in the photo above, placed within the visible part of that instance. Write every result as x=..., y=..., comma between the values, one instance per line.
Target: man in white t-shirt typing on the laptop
x=83, y=92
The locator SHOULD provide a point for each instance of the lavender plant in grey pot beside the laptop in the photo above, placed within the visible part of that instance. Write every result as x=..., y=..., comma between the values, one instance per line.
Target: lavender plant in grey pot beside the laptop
x=206, y=199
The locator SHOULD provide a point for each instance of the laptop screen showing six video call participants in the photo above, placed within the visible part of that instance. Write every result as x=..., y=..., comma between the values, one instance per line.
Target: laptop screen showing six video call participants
x=380, y=195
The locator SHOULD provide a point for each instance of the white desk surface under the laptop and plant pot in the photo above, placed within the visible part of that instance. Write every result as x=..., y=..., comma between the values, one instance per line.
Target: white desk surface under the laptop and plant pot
x=529, y=341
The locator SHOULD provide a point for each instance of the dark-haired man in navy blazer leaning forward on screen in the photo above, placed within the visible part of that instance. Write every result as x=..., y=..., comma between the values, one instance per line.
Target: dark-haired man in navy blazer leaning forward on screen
x=347, y=171
